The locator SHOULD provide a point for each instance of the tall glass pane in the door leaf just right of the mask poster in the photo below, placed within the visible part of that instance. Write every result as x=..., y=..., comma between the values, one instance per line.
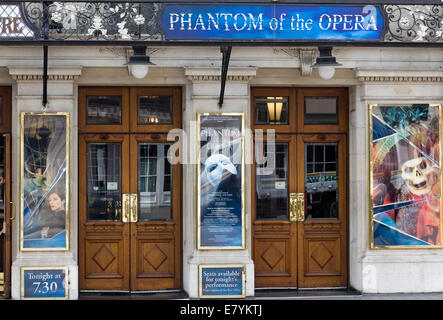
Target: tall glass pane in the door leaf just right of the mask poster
x=271, y=189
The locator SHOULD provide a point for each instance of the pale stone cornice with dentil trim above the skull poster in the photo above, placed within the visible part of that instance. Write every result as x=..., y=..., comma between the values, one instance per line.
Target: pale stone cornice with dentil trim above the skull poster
x=399, y=76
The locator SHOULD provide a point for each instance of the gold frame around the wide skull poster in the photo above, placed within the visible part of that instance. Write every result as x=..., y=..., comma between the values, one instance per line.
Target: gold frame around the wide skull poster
x=370, y=181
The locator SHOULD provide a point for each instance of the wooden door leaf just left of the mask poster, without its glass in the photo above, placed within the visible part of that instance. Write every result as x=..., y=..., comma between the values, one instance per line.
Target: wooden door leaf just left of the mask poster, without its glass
x=155, y=244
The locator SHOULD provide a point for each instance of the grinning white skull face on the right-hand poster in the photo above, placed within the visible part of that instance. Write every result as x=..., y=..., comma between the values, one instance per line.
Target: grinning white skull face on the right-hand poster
x=419, y=175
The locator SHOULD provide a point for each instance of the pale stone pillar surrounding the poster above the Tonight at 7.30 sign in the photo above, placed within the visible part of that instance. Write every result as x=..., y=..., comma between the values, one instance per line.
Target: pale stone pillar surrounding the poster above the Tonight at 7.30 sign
x=27, y=97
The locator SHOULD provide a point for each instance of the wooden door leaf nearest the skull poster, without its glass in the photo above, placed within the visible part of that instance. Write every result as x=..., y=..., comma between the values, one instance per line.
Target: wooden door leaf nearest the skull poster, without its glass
x=322, y=241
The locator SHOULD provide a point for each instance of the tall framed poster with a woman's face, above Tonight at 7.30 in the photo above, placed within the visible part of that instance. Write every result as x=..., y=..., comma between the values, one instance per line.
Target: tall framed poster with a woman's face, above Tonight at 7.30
x=44, y=181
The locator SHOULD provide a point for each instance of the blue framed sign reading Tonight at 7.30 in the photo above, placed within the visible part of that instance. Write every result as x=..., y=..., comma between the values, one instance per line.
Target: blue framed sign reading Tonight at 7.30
x=38, y=283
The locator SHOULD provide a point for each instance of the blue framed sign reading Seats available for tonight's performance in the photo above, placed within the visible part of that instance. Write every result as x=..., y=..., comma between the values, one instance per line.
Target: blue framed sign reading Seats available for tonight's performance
x=221, y=281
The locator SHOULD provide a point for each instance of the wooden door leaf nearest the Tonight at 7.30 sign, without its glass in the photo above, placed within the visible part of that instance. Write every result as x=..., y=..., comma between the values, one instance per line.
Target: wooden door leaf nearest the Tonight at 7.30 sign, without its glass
x=103, y=244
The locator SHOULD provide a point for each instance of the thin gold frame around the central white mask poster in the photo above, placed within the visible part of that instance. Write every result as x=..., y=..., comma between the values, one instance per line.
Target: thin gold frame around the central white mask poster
x=198, y=191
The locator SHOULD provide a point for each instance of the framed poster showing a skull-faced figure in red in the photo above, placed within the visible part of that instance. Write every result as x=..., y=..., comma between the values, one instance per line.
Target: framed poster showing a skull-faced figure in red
x=405, y=176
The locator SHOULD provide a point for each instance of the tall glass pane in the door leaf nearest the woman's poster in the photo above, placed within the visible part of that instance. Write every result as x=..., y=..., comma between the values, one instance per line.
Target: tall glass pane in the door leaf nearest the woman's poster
x=104, y=181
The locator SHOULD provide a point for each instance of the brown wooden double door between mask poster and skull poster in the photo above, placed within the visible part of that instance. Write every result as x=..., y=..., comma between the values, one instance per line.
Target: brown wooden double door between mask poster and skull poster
x=300, y=199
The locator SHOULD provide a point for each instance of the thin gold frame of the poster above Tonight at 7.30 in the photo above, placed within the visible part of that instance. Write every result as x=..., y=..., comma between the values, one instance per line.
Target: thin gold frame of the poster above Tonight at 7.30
x=67, y=179
